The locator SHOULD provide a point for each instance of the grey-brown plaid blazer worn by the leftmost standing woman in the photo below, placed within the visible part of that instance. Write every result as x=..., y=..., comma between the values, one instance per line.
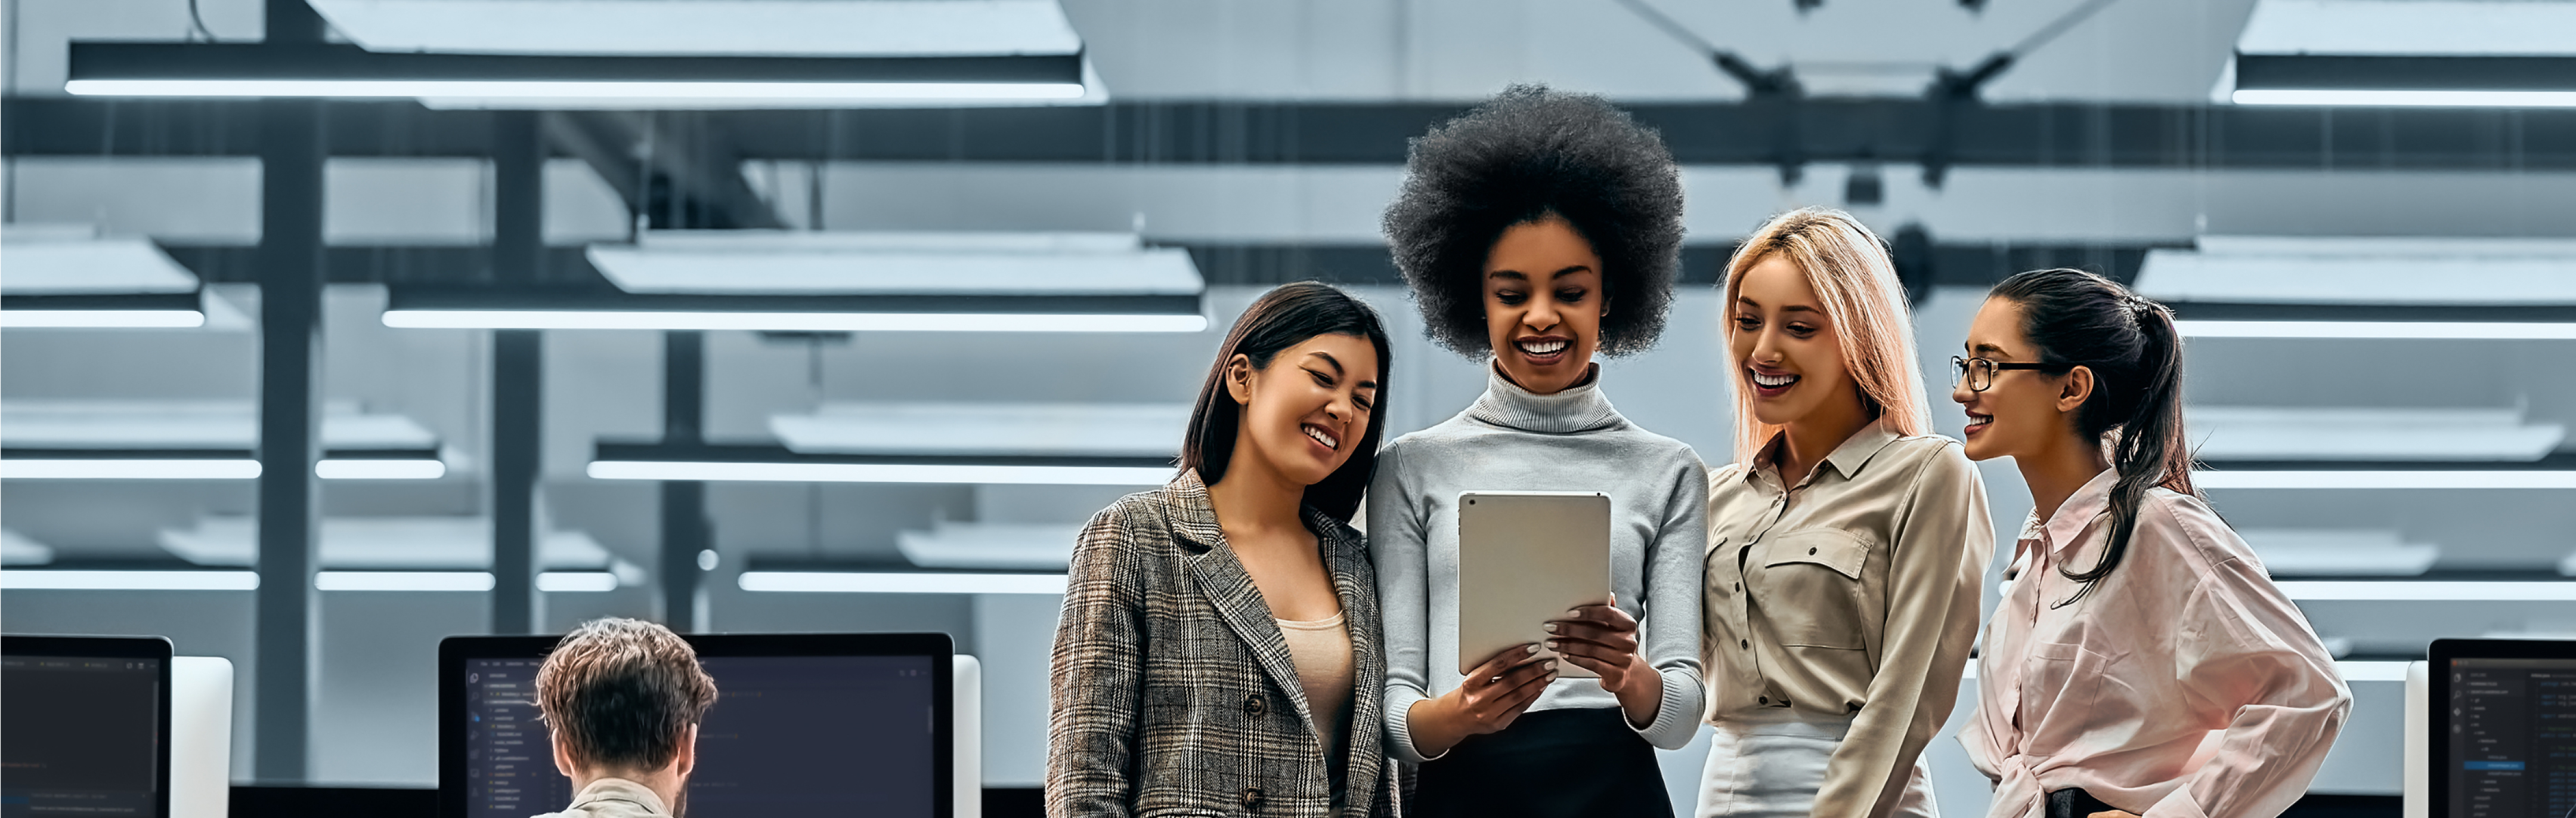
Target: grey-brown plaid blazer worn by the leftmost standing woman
x=1173, y=685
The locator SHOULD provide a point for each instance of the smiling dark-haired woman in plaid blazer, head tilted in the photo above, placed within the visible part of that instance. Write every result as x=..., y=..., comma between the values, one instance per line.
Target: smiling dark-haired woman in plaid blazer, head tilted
x=1220, y=639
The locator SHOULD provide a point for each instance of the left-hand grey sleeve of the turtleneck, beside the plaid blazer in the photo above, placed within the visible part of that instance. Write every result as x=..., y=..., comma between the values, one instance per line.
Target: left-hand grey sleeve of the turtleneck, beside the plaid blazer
x=1403, y=561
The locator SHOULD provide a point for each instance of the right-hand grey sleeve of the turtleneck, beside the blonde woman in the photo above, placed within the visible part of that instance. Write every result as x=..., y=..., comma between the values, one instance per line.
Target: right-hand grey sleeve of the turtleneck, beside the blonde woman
x=1673, y=608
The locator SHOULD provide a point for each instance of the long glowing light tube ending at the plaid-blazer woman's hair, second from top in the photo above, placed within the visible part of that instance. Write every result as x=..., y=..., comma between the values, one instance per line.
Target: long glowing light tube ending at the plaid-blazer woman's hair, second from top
x=792, y=321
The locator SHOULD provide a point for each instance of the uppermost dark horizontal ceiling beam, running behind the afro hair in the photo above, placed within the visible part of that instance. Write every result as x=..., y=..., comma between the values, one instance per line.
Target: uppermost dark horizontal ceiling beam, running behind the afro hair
x=1825, y=130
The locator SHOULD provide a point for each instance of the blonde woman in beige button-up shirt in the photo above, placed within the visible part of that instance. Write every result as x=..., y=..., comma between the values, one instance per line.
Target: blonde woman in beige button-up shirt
x=1846, y=543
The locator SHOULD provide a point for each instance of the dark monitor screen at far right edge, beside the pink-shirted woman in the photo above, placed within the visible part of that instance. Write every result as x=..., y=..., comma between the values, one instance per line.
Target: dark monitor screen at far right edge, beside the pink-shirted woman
x=2513, y=737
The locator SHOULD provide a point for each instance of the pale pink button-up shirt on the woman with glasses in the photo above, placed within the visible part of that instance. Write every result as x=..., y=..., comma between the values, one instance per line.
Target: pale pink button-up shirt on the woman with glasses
x=2121, y=690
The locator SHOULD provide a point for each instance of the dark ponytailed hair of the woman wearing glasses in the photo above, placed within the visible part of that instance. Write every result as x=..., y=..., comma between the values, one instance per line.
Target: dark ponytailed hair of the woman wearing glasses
x=2137, y=360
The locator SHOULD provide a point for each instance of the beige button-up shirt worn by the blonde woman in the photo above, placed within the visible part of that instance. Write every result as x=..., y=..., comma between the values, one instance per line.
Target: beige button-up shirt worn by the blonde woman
x=1851, y=595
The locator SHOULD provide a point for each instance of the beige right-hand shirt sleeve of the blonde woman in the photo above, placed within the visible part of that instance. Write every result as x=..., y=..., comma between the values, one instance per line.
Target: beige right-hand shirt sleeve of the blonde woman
x=1936, y=574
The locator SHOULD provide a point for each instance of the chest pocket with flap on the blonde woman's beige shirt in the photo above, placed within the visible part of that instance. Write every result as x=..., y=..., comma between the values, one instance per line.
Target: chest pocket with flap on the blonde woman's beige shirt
x=1812, y=590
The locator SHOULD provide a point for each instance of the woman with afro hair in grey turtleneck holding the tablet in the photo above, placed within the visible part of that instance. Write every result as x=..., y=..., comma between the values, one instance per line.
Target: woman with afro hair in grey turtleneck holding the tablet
x=1539, y=231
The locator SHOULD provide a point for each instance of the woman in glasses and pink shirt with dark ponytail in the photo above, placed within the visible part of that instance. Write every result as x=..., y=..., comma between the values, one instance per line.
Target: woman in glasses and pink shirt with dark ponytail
x=2142, y=659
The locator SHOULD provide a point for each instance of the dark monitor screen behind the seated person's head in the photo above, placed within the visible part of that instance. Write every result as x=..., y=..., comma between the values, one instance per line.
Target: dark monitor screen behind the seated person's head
x=790, y=737
